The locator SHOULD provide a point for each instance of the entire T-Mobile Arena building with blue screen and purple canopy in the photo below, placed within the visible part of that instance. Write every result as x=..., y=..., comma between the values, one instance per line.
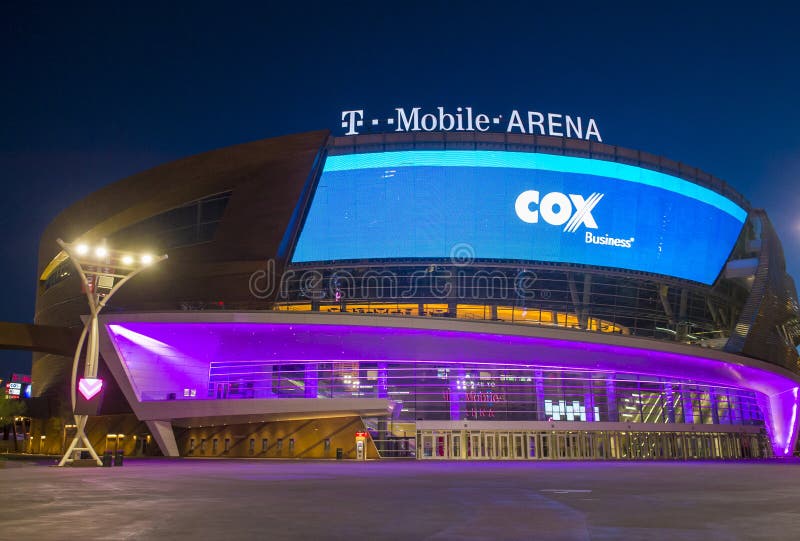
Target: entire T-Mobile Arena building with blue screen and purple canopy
x=445, y=295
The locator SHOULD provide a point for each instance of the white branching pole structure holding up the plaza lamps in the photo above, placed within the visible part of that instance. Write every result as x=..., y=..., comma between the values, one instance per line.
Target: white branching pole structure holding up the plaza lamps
x=91, y=336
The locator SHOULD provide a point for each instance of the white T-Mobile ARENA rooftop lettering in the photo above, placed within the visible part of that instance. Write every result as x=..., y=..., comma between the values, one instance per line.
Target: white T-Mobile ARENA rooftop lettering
x=468, y=119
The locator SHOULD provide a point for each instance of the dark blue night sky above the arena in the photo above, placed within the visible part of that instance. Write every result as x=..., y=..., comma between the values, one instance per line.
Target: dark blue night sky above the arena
x=92, y=93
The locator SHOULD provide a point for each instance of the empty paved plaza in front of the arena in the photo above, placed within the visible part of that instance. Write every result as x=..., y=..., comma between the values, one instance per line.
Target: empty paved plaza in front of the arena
x=270, y=499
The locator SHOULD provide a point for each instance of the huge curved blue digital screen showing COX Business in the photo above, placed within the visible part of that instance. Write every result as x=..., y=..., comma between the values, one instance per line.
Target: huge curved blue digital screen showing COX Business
x=517, y=206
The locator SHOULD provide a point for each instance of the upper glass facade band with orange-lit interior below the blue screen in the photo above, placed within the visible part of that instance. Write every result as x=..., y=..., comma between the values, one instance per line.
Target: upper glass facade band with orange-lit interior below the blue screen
x=573, y=299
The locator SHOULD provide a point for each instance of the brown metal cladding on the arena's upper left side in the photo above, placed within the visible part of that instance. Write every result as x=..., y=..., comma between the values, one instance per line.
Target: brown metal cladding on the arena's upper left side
x=271, y=172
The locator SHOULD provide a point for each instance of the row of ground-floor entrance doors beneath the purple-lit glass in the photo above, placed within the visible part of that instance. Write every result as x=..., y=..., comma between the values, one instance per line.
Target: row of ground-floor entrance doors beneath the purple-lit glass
x=488, y=444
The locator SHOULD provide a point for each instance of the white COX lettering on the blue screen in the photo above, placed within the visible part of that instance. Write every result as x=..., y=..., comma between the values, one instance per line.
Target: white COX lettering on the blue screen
x=557, y=208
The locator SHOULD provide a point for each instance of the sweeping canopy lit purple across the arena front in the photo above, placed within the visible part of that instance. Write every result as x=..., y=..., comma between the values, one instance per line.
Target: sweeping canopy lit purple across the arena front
x=174, y=350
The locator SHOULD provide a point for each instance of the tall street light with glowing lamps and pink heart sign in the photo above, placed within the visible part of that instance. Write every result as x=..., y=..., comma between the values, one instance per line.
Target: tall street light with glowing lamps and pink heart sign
x=102, y=271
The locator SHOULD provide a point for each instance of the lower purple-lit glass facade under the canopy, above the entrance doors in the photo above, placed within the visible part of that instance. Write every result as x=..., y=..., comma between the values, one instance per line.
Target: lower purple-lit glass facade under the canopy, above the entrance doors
x=456, y=392
